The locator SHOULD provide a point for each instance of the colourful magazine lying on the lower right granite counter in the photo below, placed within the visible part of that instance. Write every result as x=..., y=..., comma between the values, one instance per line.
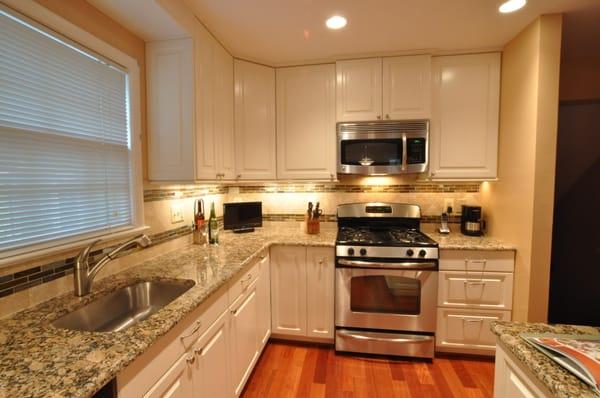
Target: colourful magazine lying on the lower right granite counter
x=580, y=354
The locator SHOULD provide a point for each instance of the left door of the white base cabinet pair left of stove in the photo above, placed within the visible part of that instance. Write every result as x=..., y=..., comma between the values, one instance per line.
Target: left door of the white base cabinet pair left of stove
x=288, y=290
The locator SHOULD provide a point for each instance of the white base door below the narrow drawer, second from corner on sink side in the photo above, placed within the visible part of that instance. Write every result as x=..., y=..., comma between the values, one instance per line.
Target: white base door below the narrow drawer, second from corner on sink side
x=243, y=332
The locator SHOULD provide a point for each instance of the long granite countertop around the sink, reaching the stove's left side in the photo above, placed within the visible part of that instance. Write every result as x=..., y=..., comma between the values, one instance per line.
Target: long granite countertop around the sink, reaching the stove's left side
x=38, y=360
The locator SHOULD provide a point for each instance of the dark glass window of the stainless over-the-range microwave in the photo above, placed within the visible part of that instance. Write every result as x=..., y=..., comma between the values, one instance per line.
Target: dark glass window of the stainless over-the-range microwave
x=379, y=152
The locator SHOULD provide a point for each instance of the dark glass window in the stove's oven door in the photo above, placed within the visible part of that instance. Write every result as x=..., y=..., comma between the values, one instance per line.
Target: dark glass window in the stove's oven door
x=385, y=294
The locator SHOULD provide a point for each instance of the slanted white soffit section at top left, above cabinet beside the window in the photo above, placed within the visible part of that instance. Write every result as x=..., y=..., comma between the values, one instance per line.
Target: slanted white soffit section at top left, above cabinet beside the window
x=145, y=18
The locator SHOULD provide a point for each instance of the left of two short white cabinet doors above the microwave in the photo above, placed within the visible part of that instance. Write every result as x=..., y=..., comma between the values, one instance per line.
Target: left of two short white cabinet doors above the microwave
x=358, y=89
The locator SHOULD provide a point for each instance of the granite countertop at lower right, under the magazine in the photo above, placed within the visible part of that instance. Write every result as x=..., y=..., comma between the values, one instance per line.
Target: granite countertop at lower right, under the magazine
x=559, y=381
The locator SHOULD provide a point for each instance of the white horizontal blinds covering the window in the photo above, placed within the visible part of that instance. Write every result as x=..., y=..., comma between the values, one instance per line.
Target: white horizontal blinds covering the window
x=65, y=153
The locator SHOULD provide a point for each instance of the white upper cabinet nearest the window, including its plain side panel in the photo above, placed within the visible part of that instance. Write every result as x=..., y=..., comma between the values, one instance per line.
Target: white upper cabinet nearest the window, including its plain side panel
x=190, y=109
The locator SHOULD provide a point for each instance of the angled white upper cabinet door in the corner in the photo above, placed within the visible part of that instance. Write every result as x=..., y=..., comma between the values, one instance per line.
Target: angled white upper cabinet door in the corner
x=254, y=121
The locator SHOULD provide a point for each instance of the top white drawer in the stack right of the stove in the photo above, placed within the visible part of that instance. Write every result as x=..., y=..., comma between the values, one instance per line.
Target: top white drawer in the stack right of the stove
x=477, y=260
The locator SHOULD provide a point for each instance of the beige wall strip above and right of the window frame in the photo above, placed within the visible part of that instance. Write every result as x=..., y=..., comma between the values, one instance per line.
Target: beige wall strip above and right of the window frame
x=89, y=18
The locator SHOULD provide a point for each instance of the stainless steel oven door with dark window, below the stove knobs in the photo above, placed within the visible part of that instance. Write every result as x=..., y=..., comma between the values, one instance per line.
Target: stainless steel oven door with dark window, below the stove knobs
x=386, y=299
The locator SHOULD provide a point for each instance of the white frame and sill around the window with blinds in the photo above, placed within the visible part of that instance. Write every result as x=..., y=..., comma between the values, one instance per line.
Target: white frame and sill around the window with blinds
x=56, y=23
